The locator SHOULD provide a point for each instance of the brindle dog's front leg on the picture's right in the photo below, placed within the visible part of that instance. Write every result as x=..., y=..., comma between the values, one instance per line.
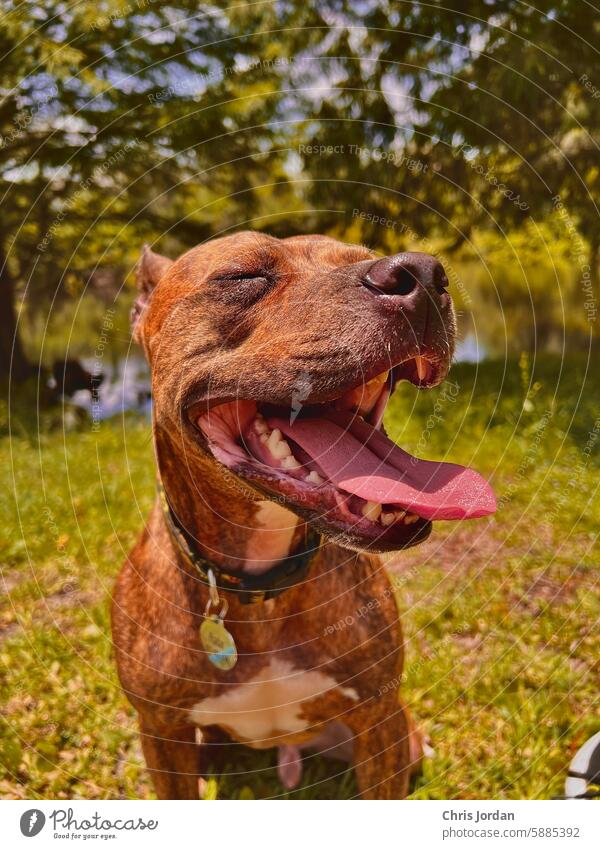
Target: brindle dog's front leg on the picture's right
x=382, y=754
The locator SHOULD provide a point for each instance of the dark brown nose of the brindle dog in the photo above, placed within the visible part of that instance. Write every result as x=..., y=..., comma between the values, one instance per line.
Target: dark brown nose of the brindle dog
x=402, y=273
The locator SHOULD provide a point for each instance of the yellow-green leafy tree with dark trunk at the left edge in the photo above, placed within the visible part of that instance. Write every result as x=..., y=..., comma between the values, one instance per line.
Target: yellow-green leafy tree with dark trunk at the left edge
x=108, y=114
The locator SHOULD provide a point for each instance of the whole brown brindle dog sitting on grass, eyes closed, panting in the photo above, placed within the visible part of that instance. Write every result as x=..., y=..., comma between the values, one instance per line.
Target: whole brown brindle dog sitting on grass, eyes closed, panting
x=253, y=610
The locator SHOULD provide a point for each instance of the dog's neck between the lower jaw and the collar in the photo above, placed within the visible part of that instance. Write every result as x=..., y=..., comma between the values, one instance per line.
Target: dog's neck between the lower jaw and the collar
x=228, y=528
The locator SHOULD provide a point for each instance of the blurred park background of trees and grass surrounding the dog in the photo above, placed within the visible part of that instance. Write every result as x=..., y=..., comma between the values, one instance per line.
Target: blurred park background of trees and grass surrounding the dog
x=469, y=130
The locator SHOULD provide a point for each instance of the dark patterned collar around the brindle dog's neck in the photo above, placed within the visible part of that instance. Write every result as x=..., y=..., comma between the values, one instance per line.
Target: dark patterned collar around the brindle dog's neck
x=249, y=589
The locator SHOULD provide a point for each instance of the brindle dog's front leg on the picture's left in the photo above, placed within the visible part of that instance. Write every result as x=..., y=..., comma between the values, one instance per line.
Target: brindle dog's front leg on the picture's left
x=173, y=760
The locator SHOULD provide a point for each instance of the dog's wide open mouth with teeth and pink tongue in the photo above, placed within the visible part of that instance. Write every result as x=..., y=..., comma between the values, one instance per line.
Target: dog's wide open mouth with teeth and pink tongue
x=333, y=464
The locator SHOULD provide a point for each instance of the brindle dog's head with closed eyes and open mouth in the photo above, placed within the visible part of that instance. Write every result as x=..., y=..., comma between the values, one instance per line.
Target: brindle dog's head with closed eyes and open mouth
x=276, y=358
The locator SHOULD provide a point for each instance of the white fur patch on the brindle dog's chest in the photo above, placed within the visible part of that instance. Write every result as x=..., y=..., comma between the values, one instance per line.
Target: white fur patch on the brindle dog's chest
x=267, y=710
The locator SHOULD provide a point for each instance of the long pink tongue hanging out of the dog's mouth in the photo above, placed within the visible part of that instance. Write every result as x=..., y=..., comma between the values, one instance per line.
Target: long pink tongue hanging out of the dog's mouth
x=374, y=468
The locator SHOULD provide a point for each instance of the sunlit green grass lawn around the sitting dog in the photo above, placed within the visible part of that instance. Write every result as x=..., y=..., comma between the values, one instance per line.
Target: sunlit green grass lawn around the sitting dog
x=500, y=615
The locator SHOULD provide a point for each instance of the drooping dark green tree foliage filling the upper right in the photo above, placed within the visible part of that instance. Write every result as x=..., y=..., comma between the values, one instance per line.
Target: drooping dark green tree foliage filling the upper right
x=494, y=105
